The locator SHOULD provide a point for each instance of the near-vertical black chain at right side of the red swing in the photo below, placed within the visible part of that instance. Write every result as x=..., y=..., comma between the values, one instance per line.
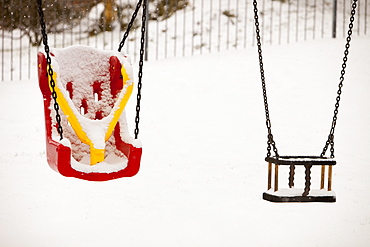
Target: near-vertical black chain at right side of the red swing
x=141, y=63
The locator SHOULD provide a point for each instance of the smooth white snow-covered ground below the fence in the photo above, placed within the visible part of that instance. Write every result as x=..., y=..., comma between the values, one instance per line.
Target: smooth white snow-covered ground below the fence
x=204, y=142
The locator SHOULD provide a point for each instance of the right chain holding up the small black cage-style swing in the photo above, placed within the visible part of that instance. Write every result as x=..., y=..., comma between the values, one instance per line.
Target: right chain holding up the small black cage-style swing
x=330, y=140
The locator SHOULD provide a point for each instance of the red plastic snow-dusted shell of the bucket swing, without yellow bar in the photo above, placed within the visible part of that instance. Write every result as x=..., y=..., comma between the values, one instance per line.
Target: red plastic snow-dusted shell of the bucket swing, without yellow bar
x=95, y=100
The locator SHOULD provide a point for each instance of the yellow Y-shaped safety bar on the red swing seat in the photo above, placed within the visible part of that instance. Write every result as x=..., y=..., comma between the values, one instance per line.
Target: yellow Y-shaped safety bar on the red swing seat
x=96, y=155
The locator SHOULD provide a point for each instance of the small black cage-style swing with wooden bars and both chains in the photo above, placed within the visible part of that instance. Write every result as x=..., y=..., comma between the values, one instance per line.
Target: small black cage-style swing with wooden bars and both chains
x=291, y=194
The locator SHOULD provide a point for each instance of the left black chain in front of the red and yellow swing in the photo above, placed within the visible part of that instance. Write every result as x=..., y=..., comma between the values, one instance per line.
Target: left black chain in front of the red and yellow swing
x=50, y=70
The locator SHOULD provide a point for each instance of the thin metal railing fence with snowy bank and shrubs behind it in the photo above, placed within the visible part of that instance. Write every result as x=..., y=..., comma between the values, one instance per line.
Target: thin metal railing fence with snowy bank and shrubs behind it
x=176, y=27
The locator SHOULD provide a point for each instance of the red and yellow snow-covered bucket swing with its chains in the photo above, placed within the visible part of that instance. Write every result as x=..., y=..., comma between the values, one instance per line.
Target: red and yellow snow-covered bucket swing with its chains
x=91, y=88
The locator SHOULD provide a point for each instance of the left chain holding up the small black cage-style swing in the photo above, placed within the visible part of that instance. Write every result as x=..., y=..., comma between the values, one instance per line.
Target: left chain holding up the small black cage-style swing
x=270, y=138
